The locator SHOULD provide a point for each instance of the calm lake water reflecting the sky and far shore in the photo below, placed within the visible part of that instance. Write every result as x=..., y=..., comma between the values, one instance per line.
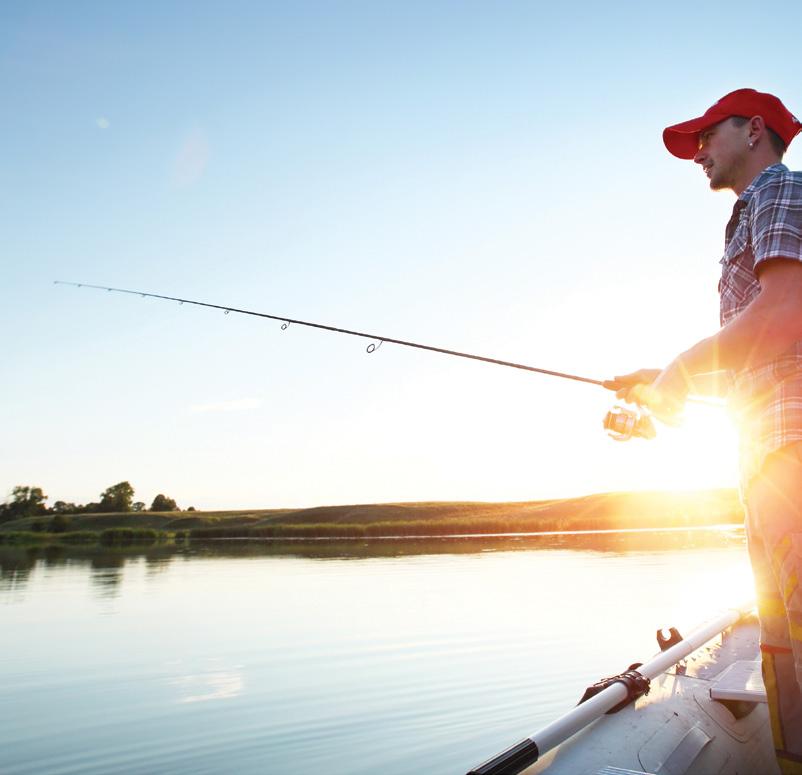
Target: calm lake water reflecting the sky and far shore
x=318, y=657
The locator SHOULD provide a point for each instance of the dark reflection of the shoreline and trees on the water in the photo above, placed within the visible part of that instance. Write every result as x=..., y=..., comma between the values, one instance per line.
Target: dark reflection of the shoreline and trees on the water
x=107, y=564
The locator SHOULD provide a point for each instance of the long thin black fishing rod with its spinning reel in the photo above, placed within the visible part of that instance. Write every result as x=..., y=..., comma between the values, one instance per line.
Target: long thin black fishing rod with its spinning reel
x=622, y=423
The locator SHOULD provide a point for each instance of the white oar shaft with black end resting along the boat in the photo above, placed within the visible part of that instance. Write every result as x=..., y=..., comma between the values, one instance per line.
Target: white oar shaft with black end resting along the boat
x=519, y=756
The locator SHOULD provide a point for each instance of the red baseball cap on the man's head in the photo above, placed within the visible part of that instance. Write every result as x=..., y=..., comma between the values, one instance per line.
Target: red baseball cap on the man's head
x=683, y=139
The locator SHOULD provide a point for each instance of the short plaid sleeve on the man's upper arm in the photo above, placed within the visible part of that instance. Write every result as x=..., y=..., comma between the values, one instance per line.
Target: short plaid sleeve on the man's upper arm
x=776, y=220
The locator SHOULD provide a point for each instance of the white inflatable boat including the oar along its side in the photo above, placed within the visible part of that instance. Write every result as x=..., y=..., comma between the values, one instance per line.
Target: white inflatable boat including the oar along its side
x=698, y=707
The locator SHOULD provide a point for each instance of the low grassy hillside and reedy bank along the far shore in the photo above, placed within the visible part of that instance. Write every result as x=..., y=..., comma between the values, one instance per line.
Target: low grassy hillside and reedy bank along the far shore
x=605, y=511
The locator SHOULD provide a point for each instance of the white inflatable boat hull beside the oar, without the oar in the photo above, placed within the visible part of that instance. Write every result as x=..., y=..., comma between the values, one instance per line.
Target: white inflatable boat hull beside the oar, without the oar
x=678, y=728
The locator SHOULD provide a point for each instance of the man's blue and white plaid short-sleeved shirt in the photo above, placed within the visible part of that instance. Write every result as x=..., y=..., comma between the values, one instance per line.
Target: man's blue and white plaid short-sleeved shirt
x=766, y=223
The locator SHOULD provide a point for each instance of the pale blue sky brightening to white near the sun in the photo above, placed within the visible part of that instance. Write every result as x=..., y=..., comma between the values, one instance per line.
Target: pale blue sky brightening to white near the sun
x=485, y=177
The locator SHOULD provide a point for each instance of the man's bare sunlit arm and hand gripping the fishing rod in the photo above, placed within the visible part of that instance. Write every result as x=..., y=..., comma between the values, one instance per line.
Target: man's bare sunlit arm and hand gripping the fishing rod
x=765, y=329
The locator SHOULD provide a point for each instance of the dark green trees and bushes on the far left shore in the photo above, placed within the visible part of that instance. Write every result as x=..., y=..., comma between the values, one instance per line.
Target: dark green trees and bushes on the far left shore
x=27, y=501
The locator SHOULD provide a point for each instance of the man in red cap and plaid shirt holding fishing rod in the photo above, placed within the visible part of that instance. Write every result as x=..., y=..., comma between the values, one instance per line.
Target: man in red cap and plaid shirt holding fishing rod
x=756, y=359
